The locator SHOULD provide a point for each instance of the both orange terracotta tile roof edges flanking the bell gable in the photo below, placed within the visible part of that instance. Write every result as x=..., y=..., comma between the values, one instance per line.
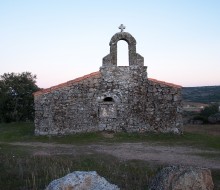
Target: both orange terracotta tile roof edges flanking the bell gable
x=74, y=81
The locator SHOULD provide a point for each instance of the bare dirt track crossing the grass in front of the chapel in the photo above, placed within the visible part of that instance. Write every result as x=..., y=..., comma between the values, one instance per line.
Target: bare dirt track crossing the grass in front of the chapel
x=150, y=152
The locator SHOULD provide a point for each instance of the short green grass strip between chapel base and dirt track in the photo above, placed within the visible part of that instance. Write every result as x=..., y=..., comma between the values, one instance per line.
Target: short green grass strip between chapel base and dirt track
x=24, y=132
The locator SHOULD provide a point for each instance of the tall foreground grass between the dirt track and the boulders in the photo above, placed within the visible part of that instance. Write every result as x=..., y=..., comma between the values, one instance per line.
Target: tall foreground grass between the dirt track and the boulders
x=22, y=171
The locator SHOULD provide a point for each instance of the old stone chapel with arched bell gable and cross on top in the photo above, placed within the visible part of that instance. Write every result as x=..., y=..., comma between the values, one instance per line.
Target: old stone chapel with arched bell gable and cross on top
x=116, y=98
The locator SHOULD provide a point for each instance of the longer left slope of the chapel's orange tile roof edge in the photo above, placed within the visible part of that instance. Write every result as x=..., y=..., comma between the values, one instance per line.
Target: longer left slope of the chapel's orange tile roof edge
x=65, y=84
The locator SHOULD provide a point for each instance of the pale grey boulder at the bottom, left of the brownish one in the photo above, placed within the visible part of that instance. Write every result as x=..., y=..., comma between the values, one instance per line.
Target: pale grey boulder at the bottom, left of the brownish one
x=81, y=180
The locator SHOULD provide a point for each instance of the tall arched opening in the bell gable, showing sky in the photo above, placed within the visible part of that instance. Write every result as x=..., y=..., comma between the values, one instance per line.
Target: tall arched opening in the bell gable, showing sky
x=122, y=53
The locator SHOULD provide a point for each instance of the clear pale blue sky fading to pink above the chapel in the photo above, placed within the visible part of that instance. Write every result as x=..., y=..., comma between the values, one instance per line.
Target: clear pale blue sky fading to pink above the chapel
x=62, y=40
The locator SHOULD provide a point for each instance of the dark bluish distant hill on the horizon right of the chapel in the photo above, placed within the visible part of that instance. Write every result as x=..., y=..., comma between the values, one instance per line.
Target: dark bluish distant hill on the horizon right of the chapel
x=205, y=94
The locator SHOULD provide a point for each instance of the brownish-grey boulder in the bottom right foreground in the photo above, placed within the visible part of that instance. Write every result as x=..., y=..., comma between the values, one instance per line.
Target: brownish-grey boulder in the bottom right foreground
x=182, y=178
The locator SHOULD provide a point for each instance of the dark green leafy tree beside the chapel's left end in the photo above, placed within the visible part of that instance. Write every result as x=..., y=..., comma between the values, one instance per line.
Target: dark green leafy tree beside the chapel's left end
x=16, y=96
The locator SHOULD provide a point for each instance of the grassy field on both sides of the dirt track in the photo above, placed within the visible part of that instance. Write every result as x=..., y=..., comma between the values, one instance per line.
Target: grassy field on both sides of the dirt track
x=19, y=169
